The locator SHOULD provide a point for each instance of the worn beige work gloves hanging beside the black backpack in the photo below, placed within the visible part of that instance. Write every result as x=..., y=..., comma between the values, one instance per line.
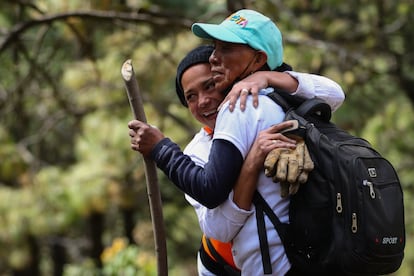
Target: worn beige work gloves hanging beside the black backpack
x=290, y=167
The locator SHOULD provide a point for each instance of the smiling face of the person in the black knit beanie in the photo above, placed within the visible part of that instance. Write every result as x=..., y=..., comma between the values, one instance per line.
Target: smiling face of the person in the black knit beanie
x=200, y=93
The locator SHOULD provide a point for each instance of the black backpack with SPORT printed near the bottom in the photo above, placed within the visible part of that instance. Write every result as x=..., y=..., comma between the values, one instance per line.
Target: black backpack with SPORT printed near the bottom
x=348, y=218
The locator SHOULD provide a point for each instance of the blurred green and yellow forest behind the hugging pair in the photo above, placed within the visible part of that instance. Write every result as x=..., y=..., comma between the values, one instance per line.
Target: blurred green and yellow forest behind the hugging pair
x=72, y=193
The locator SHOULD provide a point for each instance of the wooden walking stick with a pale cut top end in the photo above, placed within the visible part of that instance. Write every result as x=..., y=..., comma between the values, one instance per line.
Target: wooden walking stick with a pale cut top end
x=153, y=190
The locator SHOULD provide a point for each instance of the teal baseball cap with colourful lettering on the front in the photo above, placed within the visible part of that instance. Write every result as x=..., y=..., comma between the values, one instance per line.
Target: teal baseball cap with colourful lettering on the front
x=247, y=27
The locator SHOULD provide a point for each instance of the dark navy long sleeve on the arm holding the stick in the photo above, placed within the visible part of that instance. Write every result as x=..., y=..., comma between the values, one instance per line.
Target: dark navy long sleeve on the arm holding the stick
x=210, y=185
